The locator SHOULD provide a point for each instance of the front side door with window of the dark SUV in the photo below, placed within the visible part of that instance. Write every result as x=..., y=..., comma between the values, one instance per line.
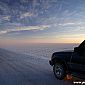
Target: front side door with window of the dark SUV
x=78, y=59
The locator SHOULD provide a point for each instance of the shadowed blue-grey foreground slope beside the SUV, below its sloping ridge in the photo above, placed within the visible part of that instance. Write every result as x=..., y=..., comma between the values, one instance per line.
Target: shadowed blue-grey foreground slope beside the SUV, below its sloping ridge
x=19, y=69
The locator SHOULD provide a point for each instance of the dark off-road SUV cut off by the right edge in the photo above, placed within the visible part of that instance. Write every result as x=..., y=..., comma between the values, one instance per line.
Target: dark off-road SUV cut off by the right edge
x=69, y=62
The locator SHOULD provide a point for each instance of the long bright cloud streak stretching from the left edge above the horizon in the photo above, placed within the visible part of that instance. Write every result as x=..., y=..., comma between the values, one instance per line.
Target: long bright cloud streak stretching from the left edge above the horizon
x=25, y=28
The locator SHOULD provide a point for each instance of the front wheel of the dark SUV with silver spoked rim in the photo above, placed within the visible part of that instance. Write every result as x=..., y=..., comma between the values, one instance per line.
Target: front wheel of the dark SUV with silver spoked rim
x=59, y=71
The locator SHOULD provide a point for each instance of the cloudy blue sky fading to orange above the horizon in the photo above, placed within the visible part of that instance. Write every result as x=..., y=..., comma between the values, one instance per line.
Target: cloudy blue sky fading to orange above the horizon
x=42, y=21
